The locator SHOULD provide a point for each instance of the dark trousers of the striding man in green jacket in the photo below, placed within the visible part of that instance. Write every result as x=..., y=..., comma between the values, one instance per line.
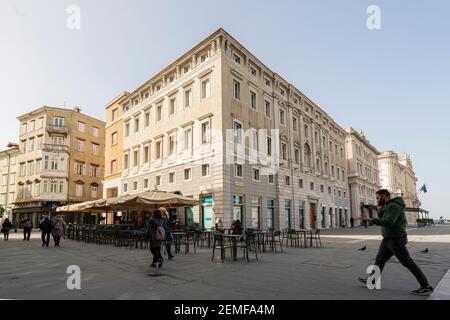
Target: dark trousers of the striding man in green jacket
x=397, y=247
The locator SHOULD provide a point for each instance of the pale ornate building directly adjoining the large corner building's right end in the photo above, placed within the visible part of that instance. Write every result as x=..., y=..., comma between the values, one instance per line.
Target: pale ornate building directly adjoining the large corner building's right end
x=363, y=176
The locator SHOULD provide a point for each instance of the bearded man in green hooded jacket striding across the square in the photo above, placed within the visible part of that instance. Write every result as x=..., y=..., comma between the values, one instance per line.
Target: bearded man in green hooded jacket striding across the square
x=391, y=213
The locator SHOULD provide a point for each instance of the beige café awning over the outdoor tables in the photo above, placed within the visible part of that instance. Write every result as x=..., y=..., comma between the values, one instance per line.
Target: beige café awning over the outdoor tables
x=141, y=201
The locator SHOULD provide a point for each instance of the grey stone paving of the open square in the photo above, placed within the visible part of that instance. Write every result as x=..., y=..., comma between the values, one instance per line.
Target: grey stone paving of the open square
x=29, y=271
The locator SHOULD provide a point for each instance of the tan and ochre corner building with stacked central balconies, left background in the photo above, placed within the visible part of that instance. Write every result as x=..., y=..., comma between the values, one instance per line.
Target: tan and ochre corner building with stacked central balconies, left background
x=61, y=161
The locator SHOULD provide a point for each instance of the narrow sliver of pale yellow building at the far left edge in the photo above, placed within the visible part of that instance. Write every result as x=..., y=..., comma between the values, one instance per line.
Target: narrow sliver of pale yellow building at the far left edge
x=8, y=176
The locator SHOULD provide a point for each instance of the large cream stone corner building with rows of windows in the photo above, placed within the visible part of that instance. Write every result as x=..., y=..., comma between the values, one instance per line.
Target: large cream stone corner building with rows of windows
x=220, y=126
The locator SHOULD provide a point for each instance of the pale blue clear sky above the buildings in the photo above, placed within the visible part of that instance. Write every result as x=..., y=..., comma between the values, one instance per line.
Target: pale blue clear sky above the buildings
x=393, y=82
